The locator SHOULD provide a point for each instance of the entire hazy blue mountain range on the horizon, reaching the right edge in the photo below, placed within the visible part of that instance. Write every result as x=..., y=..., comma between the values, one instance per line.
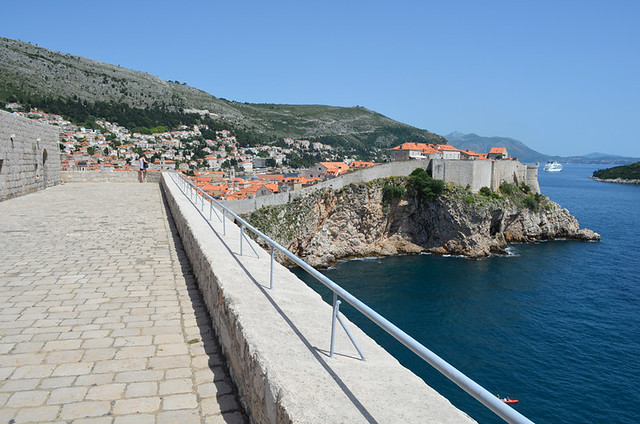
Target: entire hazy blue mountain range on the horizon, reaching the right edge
x=521, y=151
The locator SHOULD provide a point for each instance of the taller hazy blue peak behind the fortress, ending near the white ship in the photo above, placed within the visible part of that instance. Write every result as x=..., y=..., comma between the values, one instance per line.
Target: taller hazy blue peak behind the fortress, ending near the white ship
x=516, y=149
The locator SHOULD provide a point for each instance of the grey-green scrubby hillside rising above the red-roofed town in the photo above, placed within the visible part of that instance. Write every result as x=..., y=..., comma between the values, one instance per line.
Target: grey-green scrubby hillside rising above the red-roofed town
x=82, y=88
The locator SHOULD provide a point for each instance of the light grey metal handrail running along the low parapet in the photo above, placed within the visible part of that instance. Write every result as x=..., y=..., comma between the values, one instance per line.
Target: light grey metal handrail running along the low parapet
x=481, y=394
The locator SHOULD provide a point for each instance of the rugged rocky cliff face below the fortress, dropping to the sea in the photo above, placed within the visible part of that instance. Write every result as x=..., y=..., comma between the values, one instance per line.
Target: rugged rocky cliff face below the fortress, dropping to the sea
x=327, y=225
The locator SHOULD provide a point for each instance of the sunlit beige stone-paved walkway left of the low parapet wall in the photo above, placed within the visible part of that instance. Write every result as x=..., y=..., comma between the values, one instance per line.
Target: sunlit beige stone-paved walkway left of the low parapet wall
x=101, y=321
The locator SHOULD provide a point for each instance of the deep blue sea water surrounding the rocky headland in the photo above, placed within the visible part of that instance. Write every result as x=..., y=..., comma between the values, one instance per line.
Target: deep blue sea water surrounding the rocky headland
x=555, y=325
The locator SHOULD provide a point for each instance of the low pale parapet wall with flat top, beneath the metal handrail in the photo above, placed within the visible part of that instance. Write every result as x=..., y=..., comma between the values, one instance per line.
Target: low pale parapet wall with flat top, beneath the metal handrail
x=276, y=341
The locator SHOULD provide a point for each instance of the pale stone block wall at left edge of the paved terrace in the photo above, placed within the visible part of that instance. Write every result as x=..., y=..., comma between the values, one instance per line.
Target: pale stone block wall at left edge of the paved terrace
x=29, y=155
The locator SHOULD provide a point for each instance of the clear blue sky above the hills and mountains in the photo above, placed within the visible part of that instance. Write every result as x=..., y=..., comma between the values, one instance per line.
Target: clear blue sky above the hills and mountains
x=561, y=76
